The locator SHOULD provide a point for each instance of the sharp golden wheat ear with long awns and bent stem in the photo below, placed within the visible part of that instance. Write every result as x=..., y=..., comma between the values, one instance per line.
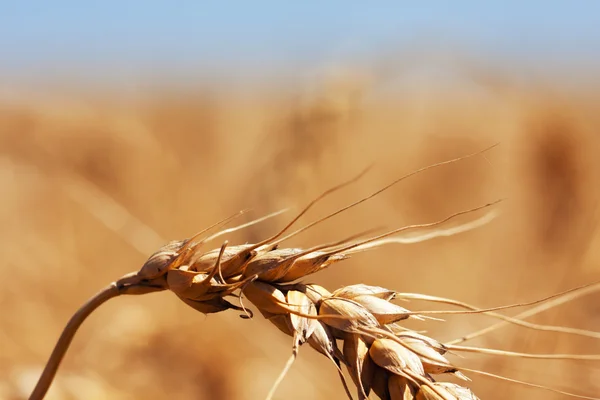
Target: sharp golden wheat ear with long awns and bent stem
x=356, y=327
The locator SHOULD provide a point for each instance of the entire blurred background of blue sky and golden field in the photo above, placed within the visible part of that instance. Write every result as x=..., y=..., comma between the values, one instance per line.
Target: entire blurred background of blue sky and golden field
x=124, y=125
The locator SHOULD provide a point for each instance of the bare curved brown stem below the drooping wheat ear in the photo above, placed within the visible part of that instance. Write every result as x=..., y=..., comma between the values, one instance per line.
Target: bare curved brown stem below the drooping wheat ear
x=66, y=337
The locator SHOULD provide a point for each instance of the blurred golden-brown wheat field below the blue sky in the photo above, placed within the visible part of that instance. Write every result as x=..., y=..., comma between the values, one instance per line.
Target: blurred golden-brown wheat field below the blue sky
x=93, y=185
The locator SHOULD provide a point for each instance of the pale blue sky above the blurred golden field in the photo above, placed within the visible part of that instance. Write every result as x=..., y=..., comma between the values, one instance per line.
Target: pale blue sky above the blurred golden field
x=108, y=38
